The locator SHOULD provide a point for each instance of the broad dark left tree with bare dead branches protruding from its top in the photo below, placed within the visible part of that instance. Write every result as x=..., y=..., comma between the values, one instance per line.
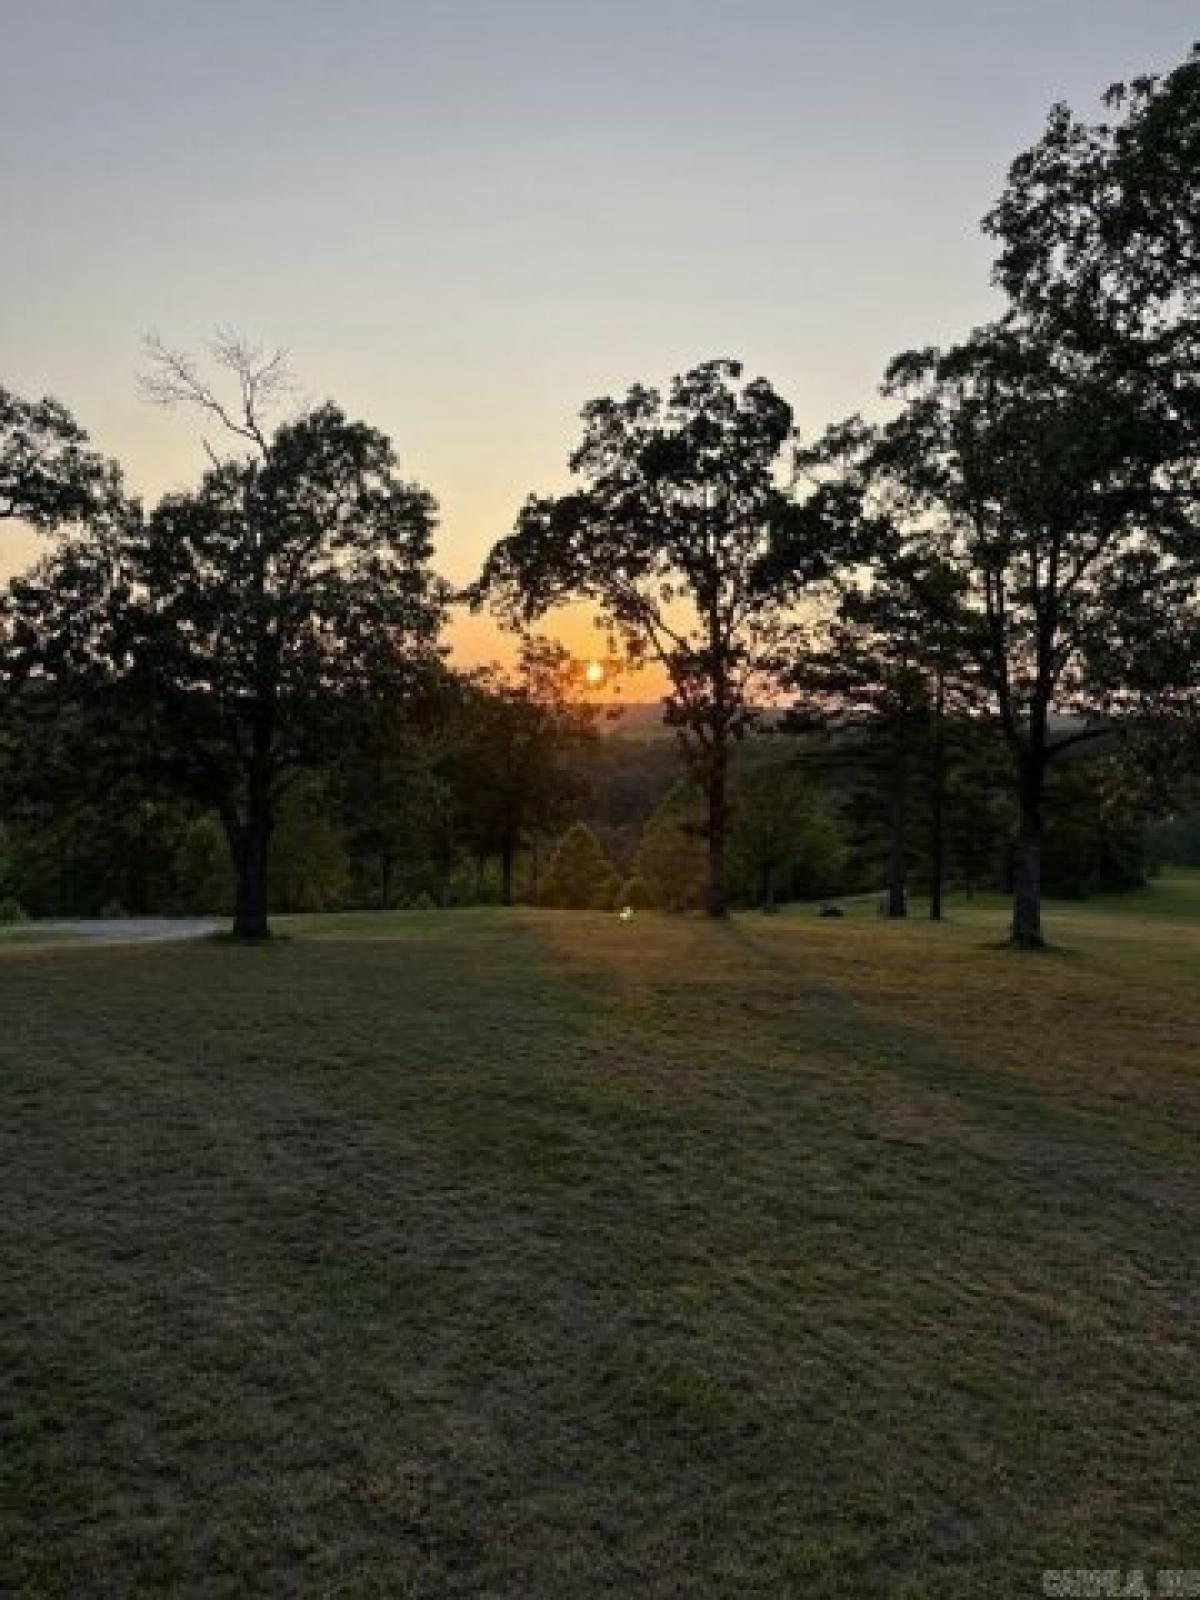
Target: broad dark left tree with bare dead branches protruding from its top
x=238, y=626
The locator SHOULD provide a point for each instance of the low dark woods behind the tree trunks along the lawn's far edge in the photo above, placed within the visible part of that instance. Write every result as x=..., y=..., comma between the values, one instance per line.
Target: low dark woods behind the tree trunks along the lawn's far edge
x=610, y=822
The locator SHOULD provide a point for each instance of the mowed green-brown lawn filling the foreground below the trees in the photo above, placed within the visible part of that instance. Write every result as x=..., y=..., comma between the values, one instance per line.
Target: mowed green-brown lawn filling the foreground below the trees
x=543, y=1255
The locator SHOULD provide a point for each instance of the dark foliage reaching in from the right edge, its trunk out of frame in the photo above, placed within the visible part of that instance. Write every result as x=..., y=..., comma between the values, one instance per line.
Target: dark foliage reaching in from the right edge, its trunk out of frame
x=1100, y=254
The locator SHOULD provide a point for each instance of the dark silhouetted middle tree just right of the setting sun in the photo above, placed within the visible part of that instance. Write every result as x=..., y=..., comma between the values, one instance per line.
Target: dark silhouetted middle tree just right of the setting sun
x=671, y=537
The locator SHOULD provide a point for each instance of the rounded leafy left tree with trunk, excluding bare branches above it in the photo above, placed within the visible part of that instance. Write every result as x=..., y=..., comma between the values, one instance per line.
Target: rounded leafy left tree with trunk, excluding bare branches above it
x=273, y=606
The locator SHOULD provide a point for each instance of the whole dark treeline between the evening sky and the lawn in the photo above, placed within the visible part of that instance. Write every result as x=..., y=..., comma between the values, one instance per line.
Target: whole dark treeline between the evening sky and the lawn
x=950, y=650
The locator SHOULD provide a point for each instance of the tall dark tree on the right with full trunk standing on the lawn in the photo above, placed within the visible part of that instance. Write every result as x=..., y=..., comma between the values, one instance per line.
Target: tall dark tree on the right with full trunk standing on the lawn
x=1025, y=471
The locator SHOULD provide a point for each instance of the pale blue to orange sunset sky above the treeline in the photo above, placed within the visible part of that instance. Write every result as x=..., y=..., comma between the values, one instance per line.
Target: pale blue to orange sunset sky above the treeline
x=466, y=218
